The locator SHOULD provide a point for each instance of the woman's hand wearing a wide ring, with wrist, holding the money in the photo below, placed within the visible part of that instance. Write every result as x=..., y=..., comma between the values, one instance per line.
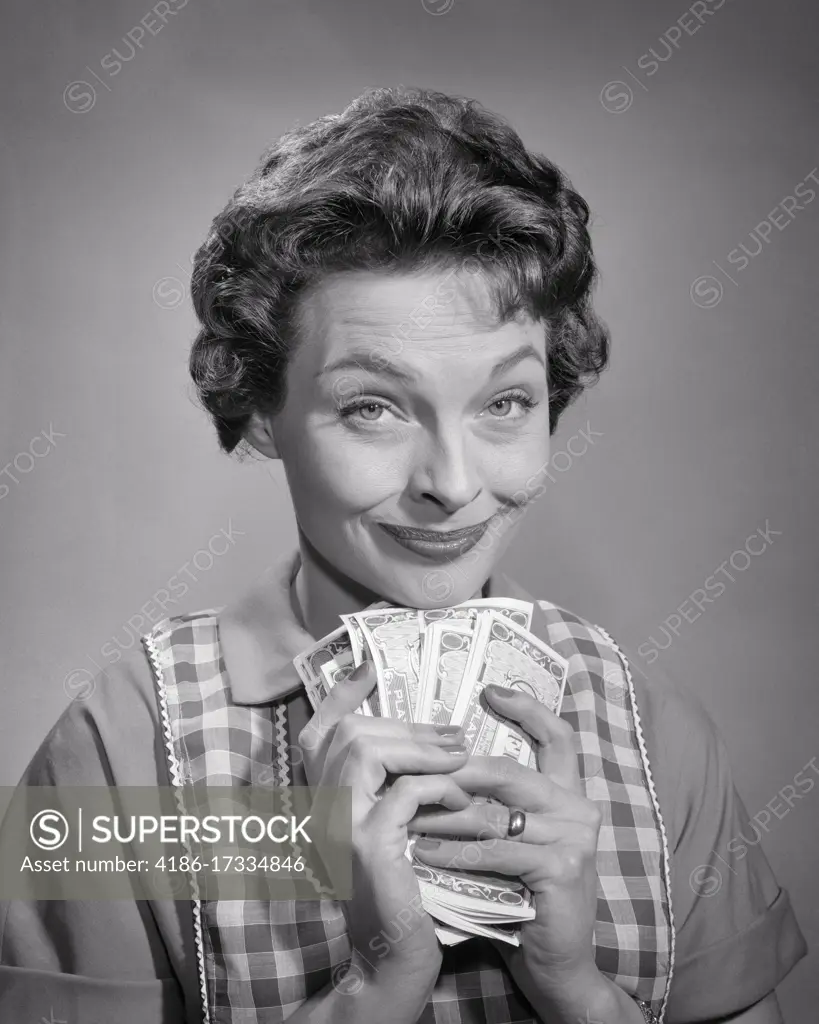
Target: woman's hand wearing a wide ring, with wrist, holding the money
x=555, y=856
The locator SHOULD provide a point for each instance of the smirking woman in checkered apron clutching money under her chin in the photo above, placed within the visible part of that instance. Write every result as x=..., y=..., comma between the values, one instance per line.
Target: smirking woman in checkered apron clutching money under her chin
x=397, y=306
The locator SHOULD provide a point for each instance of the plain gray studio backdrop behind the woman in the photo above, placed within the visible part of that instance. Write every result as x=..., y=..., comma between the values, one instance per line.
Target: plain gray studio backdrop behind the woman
x=693, y=136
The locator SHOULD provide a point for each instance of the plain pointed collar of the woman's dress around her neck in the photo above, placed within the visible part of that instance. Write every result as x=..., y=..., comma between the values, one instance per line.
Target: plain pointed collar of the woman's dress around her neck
x=261, y=633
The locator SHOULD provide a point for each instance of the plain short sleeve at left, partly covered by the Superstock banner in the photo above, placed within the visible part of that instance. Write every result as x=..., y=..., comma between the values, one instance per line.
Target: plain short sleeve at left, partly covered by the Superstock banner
x=95, y=961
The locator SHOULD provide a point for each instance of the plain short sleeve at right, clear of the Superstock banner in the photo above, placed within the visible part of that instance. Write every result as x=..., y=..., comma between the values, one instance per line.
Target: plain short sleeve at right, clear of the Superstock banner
x=737, y=934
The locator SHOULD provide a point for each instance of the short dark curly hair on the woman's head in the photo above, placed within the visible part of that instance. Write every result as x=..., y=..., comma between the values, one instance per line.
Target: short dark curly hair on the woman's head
x=403, y=181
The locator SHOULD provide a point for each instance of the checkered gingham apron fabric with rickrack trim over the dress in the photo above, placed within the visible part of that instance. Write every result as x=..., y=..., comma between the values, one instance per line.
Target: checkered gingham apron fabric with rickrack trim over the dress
x=260, y=961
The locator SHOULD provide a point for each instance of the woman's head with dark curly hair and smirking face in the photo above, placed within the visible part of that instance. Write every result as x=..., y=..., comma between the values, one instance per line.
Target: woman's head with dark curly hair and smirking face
x=386, y=422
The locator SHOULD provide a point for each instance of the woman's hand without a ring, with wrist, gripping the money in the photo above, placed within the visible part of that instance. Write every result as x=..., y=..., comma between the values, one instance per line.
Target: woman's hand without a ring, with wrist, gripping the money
x=394, y=937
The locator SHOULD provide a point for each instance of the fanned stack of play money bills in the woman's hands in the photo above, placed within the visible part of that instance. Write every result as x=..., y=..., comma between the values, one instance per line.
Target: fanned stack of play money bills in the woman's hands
x=433, y=666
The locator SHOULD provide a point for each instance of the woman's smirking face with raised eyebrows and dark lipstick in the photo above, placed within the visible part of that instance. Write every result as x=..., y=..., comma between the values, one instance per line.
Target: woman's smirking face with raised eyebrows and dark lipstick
x=409, y=408
